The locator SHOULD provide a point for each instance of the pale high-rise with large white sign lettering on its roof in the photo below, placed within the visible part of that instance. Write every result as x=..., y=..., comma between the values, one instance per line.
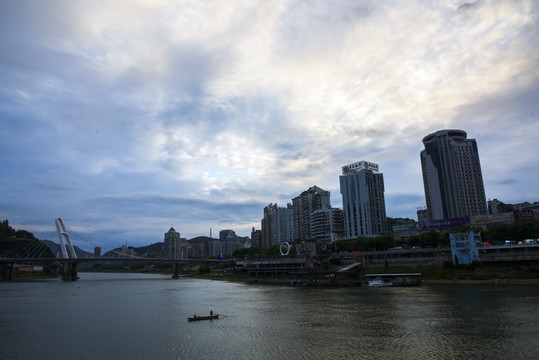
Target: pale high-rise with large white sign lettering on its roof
x=362, y=189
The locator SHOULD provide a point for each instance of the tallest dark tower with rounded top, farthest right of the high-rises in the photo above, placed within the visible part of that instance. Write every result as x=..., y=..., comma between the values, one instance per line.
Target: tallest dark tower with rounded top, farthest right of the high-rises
x=452, y=176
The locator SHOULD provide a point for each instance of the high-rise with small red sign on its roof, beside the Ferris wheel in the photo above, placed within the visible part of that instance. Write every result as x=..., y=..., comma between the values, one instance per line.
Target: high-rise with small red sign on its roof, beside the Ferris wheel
x=276, y=225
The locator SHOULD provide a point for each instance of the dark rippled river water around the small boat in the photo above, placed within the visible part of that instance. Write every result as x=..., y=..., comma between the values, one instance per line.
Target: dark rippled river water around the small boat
x=144, y=316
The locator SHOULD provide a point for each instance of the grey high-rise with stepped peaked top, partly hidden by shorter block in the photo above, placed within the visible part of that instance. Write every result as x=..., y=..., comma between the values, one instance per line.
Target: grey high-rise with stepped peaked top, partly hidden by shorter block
x=303, y=206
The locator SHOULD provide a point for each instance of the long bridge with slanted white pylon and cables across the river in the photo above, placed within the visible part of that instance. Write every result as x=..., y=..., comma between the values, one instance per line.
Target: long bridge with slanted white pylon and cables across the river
x=69, y=263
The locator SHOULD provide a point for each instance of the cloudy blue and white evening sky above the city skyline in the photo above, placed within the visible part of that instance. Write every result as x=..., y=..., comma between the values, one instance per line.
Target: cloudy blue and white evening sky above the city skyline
x=125, y=118
